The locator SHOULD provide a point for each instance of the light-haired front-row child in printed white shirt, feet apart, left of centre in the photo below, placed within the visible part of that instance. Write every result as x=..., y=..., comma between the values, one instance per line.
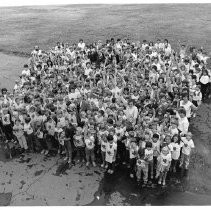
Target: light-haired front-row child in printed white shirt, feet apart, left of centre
x=90, y=143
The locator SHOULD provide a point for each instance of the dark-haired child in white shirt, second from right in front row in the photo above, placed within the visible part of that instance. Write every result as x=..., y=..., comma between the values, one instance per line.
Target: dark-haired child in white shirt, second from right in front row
x=175, y=151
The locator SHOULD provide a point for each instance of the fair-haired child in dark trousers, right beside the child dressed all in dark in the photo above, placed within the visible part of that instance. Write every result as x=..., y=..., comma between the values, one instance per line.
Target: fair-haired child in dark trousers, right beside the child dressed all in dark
x=78, y=140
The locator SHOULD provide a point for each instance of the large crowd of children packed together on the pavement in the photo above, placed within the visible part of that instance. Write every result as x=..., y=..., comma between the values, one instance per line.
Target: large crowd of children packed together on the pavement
x=106, y=103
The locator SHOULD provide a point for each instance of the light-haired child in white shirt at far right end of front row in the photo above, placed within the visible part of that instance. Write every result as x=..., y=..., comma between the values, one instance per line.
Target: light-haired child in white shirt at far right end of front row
x=187, y=145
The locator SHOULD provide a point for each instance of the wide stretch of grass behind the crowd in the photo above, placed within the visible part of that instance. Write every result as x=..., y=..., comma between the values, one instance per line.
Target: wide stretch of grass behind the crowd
x=24, y=27
